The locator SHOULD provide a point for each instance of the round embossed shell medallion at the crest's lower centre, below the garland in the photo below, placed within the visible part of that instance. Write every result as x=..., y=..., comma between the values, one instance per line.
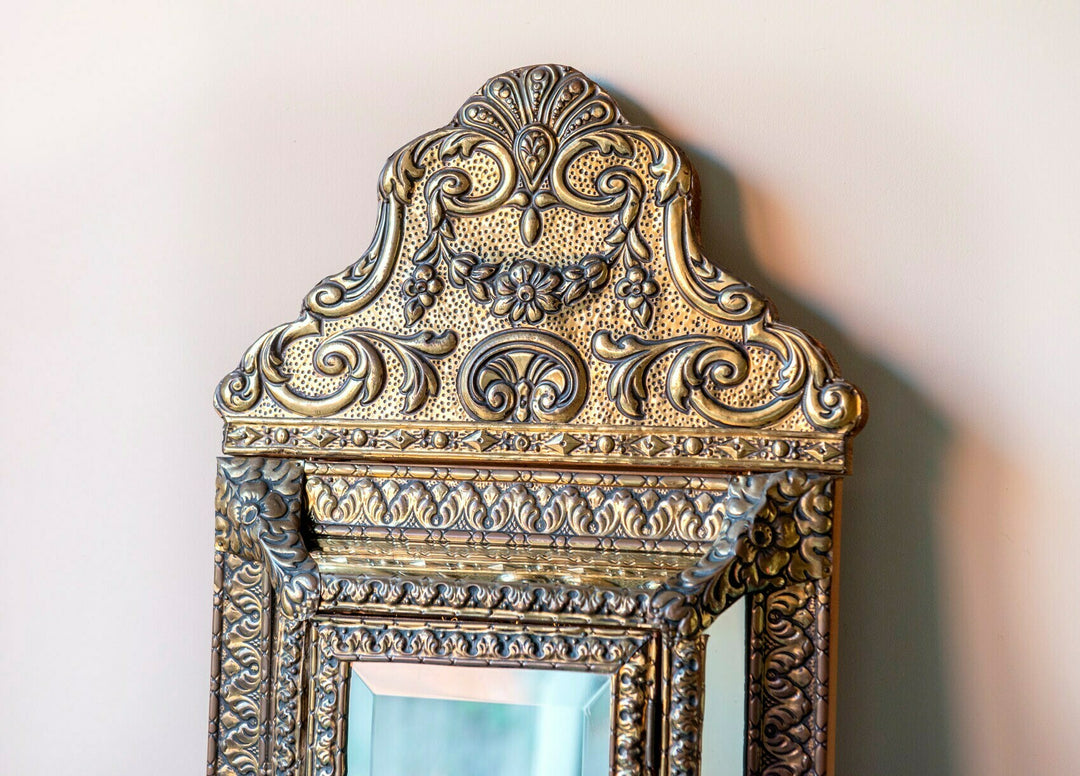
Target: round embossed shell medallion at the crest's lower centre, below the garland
x=523, y=376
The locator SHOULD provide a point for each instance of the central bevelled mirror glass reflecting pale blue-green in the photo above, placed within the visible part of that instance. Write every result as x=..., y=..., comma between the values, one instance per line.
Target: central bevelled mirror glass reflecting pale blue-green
x=429, y=720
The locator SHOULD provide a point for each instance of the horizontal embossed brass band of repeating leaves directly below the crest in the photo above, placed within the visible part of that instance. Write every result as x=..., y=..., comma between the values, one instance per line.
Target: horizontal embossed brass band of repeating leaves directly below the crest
x=379, y=502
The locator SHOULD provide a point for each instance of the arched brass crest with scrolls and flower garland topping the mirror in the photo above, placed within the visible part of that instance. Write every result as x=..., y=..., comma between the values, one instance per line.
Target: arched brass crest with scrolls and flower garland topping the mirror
x=536, y=291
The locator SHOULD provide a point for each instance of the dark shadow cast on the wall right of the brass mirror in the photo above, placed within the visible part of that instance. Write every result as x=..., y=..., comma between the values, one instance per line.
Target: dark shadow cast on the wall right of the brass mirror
x=893, y=710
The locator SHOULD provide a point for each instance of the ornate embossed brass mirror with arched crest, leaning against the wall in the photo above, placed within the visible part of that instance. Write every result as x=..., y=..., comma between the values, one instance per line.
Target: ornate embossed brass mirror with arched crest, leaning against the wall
x=485, y=501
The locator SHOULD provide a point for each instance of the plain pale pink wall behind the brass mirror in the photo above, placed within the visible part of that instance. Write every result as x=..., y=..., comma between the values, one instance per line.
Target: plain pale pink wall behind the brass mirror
x=903, y=182
